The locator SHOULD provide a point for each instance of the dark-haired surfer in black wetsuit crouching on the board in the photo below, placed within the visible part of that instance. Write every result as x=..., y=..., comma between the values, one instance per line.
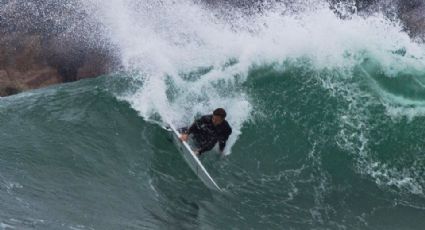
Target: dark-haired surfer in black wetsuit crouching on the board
x=208, y=130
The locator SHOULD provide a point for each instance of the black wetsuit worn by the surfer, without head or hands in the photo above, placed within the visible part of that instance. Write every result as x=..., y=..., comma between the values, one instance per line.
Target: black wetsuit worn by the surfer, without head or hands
x=206, y=134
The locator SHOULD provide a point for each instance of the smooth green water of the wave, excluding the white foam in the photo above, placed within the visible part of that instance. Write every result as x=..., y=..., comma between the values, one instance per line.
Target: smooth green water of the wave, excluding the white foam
x=75, y=156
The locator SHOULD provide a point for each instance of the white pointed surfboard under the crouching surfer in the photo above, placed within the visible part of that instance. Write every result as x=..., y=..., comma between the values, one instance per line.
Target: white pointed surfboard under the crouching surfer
x=192, y=160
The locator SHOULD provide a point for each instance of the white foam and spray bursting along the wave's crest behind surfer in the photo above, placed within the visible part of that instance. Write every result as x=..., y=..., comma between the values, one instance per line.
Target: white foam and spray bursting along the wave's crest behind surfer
x=166, y=41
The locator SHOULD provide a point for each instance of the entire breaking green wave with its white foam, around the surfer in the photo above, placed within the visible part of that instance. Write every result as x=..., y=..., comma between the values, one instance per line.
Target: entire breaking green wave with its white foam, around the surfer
x=327, y=116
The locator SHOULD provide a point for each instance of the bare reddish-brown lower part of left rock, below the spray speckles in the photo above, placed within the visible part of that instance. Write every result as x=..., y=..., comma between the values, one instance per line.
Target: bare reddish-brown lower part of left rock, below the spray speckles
x=31, y=61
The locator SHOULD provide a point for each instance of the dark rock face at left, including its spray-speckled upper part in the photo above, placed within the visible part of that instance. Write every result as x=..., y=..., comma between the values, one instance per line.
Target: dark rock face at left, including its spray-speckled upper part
x=48, y=42
